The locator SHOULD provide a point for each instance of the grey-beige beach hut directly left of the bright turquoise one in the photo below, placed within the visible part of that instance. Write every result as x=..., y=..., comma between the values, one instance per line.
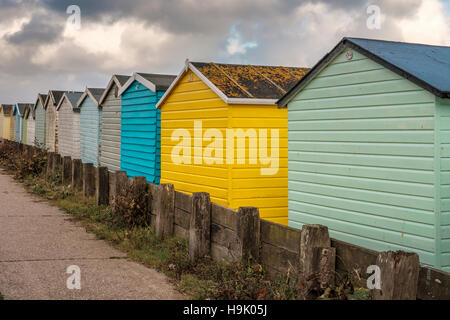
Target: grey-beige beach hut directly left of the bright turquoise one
x=110, y=102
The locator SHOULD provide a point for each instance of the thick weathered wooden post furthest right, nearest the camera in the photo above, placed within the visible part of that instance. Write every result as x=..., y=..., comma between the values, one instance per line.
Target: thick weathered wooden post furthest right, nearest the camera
x=399, y=276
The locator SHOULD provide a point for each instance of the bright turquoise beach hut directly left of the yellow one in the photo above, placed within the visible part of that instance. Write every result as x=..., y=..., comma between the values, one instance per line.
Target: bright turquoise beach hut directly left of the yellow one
x=141, y=125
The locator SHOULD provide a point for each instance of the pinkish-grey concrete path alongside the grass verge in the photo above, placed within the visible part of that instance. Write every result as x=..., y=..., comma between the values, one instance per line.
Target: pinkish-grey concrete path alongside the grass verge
x=38, y=242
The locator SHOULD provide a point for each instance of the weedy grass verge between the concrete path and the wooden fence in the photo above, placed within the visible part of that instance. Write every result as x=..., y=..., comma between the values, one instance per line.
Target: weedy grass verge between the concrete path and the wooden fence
x=205, y=279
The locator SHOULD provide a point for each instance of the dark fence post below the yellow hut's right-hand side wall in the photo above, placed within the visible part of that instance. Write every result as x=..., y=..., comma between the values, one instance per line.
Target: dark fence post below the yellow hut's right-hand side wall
x=249, y=232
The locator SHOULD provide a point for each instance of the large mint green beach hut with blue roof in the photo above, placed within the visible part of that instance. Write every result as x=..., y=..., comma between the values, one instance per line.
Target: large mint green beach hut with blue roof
x=369, y=147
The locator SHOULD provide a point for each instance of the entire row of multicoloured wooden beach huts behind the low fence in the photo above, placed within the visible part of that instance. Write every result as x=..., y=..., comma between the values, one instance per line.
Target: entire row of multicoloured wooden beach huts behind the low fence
x=363, y=139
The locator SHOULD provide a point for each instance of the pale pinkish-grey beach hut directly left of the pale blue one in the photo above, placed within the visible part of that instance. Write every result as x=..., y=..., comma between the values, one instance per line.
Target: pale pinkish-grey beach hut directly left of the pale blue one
x=69, y=124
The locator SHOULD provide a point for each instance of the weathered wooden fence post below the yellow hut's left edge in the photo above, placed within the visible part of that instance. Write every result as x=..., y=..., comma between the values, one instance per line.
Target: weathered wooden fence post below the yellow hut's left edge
x=164, y=208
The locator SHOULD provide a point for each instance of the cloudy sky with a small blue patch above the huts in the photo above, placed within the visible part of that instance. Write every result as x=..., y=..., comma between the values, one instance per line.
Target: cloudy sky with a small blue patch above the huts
x=41, y=47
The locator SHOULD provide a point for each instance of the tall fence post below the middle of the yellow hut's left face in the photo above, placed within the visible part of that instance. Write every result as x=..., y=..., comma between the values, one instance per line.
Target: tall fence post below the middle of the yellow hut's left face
x=200, y=226
